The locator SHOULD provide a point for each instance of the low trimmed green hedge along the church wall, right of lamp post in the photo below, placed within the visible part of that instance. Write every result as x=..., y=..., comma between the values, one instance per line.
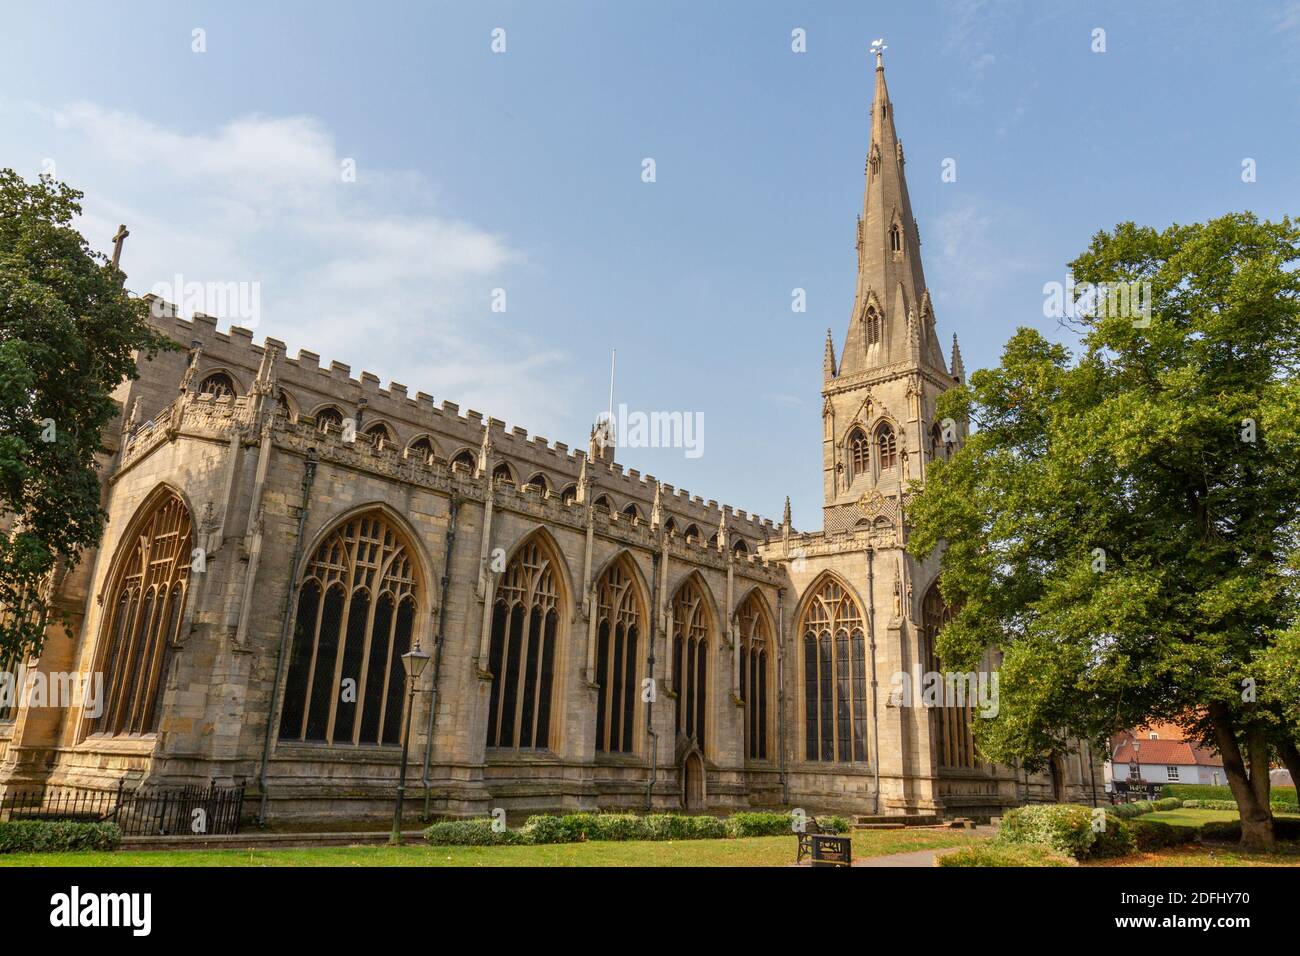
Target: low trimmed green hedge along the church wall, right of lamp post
x=582, y=828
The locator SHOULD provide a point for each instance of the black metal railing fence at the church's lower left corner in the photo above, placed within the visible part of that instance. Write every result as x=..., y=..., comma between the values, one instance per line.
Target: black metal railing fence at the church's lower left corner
x=144, y=812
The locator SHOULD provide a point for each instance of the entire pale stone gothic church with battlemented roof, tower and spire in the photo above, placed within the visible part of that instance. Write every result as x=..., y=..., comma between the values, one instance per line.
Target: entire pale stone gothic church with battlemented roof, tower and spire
x=281, y=533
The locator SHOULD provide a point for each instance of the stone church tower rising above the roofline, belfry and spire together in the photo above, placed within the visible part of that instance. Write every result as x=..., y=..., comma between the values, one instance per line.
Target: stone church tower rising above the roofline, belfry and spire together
x=879, y=427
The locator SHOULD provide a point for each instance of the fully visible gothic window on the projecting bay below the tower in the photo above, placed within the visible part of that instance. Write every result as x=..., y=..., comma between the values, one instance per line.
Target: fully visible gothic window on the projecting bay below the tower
x=835, y=677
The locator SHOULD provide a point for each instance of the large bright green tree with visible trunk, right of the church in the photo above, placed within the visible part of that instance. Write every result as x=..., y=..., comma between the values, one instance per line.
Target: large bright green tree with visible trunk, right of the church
x=1124, y=527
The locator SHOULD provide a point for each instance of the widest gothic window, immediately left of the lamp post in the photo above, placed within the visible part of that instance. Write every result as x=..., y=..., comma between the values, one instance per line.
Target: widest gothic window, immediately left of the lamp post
x=357, y=615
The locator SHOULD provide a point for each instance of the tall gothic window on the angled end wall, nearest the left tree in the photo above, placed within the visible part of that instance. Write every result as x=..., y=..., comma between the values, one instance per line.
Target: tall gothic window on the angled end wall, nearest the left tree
x=146, y=603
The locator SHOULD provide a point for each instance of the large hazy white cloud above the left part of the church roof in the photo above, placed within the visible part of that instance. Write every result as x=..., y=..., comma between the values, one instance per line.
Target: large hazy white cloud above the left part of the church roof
x=370, y=272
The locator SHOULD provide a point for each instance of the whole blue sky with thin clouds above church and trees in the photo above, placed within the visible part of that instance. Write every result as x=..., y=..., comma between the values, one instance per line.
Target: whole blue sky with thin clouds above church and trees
x=522, y=171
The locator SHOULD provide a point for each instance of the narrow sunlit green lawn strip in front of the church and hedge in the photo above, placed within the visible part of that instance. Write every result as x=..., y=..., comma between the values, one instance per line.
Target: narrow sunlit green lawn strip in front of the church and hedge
x=756, y=851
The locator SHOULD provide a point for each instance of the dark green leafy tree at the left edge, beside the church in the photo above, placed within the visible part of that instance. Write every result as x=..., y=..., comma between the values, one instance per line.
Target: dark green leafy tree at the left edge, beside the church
x=70, y=335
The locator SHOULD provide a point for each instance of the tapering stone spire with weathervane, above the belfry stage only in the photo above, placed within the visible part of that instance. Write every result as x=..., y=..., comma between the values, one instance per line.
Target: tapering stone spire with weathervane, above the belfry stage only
x=891, y=280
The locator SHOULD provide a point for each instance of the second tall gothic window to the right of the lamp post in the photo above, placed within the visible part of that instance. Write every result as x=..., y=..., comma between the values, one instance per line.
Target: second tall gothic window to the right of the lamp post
x=618, y=631
